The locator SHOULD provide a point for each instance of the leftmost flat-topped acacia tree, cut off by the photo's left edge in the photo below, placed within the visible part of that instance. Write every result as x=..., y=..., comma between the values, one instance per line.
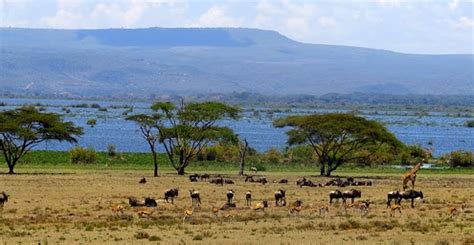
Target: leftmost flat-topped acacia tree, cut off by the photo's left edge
x=23, y=128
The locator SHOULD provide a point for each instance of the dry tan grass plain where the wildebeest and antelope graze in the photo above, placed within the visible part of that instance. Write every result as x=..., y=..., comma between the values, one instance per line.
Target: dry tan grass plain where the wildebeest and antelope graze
x=75, y=208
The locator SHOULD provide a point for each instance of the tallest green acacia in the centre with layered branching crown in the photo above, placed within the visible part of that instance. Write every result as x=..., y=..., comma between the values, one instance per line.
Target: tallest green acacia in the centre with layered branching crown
x=184, y=130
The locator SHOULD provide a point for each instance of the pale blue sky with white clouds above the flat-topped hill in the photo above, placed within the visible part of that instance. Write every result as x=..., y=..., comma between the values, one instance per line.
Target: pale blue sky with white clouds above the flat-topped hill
x=409, y=26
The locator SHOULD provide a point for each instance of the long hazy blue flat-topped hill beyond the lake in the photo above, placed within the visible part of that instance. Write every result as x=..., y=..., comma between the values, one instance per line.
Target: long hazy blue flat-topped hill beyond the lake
x=156, y=61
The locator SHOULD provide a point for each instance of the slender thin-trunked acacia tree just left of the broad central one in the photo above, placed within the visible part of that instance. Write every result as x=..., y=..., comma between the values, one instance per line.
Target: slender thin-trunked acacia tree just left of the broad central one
x=149, y=131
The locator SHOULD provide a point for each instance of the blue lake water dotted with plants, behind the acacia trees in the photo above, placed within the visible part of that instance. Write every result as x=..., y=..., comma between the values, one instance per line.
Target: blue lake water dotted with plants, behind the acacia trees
x=442, y=134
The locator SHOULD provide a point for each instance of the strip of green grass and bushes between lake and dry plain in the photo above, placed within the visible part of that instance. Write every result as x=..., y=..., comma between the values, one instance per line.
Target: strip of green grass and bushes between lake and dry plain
x=57, y=160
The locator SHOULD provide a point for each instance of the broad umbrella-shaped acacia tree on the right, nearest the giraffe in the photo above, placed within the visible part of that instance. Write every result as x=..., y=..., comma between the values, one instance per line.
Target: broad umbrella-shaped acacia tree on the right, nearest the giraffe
x=337, y=138
